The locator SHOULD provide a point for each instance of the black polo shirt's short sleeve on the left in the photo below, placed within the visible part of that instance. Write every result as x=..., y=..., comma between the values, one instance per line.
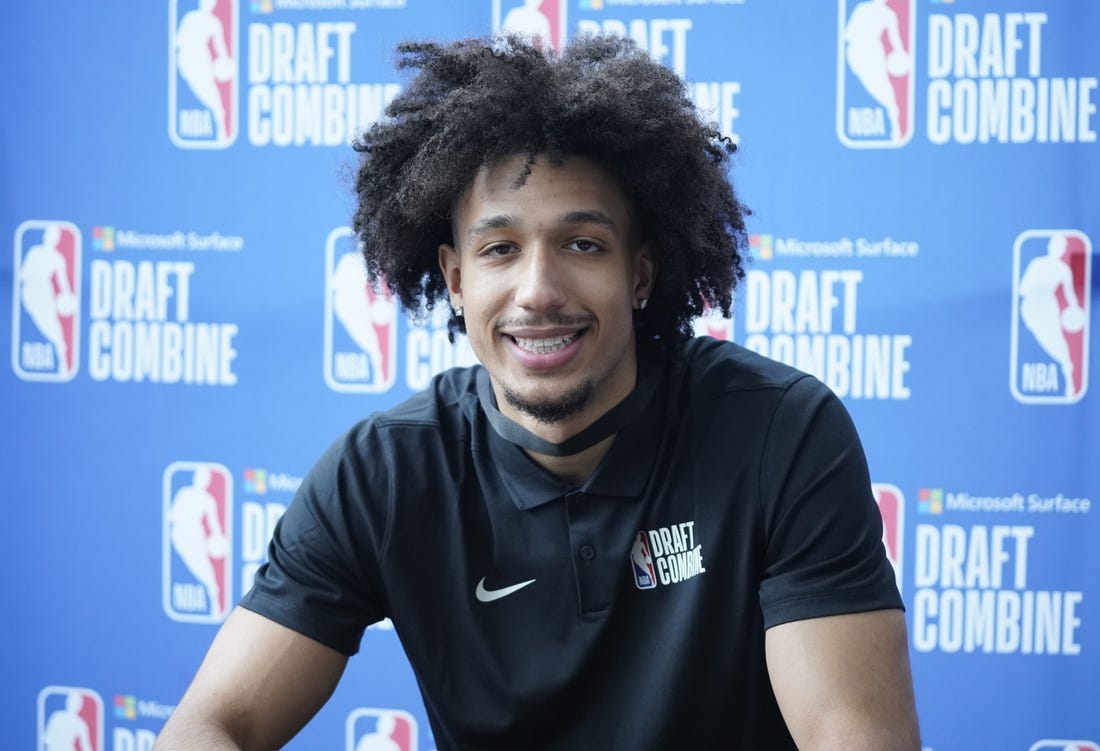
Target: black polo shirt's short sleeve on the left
x=322, y=577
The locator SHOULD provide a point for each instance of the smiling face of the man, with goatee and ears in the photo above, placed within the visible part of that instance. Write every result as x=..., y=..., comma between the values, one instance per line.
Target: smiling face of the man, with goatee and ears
x=548, y=275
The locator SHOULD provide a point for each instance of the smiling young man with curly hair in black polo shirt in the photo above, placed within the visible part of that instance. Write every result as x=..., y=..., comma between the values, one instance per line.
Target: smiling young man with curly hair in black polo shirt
x=612, y=535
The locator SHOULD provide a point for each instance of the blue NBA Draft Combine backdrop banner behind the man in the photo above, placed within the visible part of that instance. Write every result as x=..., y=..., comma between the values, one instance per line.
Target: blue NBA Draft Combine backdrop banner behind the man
x=190, y=326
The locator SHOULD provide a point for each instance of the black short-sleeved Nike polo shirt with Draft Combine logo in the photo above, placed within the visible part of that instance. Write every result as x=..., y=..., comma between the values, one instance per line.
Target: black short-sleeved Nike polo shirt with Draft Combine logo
x=628, y=613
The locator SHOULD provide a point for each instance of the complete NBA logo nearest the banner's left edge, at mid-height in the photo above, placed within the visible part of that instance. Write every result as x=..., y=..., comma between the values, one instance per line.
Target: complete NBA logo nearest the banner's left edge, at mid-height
x=46, y=323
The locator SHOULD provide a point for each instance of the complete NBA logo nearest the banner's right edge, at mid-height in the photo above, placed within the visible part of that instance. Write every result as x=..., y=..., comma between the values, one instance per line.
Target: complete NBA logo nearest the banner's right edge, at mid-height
x=1051, y=289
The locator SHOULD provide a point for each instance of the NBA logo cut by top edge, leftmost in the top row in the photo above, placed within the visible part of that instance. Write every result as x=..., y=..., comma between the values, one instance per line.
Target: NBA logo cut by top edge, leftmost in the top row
x=203, y=73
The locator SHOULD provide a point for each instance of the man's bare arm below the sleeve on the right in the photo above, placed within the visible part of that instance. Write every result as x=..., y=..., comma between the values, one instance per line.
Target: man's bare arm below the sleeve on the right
x=843, y=682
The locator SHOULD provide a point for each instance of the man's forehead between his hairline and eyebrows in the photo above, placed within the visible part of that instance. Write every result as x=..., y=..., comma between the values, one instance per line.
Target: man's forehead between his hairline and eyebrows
x=543, y=192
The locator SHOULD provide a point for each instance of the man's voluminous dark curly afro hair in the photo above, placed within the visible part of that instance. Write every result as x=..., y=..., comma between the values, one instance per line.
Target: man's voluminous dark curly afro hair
x=479, y=101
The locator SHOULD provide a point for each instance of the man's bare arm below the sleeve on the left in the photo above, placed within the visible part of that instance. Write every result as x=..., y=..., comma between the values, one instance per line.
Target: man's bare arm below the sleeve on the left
x=259, y=686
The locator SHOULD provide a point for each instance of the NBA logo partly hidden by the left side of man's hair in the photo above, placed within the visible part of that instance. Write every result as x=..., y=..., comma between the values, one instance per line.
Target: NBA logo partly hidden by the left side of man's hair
x=360, y=322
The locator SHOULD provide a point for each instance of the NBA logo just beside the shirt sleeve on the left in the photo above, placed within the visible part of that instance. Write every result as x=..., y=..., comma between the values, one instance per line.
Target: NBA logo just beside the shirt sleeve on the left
x=199, y=527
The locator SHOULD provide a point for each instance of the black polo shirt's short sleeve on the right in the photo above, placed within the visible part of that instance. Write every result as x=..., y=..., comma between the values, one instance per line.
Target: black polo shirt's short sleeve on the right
x=822, y=528
